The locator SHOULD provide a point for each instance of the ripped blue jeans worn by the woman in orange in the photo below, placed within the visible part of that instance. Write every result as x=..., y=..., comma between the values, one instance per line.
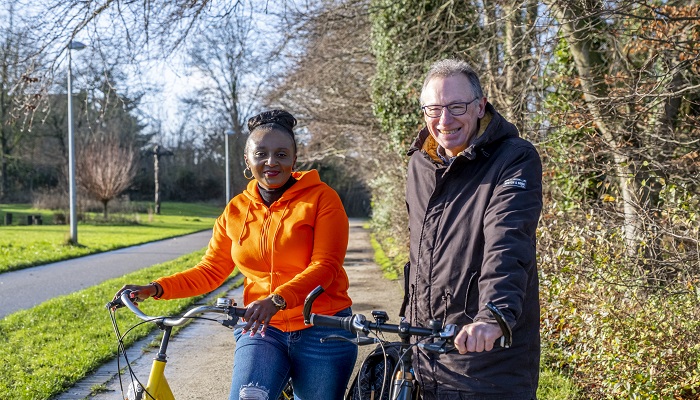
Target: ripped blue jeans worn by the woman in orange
x=263, y=365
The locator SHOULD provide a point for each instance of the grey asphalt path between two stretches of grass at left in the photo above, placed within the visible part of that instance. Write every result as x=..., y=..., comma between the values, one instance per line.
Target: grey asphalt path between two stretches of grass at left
x=29, y=287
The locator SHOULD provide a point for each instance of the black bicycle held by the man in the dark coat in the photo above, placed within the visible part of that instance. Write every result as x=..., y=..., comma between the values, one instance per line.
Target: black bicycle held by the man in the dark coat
x=403, y=384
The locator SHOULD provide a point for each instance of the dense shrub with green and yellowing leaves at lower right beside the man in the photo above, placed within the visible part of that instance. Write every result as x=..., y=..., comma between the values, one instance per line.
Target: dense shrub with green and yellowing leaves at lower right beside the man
x=620, y=333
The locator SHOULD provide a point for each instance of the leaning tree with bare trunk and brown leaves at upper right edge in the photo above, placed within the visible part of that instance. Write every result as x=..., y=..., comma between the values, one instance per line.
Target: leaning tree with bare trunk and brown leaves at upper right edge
x=637, y=73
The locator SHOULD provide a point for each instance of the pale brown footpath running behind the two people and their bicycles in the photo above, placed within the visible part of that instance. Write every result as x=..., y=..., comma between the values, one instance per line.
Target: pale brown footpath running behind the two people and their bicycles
x=200, y=357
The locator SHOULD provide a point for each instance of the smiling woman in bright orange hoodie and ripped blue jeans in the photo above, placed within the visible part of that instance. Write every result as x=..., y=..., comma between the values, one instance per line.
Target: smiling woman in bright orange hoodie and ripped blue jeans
x=287, y=233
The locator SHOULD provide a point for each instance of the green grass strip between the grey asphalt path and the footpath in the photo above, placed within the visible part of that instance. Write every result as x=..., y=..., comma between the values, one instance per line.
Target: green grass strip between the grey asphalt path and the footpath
x=46, y=349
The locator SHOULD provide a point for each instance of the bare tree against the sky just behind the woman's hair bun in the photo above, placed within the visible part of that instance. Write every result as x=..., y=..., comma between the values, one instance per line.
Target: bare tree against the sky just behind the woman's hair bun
x=234, y=73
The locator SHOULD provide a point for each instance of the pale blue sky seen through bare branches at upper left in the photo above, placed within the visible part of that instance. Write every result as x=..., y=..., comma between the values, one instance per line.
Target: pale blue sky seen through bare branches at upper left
x=166, y=78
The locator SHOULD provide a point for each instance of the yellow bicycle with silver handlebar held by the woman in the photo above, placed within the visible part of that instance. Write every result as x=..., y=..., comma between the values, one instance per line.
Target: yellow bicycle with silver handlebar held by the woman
x=157, y=387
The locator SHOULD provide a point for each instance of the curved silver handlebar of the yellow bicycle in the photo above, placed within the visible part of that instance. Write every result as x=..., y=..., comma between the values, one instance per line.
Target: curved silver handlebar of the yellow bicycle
x=223, y=306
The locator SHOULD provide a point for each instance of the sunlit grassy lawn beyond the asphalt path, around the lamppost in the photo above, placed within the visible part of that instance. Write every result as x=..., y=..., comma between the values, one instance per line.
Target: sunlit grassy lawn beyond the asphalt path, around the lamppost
x=23, y=246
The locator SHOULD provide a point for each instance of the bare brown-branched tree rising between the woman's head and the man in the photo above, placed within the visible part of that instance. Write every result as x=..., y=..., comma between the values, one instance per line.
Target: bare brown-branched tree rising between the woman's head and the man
x=327, y=89
